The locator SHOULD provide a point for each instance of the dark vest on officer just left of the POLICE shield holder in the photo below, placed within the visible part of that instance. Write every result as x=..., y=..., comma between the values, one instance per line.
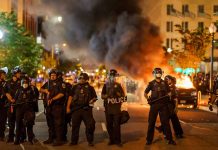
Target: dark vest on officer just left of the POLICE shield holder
x=81, y=95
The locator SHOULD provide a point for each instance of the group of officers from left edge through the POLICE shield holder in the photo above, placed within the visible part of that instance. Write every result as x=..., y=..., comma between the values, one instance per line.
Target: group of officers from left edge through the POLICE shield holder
x=63, y=104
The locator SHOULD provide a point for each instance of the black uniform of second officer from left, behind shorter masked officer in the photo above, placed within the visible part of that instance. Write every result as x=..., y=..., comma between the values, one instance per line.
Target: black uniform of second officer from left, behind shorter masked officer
x=11, y=88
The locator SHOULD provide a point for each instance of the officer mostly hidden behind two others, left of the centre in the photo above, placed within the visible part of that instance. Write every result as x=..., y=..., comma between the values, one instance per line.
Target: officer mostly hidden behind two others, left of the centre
x=67, y=117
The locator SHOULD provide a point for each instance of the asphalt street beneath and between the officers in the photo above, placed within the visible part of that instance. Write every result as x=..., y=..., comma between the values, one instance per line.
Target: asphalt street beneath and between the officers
x=200, y=128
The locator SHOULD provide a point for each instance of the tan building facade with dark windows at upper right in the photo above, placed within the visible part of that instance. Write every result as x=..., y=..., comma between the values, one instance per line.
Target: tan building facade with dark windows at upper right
x=190, y=14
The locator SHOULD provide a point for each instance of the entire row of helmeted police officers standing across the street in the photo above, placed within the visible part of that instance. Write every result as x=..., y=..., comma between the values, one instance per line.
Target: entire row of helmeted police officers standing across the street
x=65, y=103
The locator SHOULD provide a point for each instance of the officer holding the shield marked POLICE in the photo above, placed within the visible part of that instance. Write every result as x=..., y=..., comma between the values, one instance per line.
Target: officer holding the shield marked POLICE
x=112, y=93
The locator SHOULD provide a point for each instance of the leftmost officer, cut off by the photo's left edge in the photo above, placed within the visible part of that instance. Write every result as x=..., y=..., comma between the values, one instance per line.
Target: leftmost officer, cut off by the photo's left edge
x=3, y=99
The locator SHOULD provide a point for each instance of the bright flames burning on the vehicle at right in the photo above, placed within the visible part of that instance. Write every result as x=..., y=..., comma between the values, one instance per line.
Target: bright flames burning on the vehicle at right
x=184, y=82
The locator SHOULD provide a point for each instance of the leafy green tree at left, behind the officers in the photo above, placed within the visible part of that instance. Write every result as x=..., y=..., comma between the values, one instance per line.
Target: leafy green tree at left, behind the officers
x=18, y=46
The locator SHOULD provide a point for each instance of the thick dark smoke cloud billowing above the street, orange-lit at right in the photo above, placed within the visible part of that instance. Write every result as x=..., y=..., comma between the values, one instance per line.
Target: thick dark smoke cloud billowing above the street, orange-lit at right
x=113, y=32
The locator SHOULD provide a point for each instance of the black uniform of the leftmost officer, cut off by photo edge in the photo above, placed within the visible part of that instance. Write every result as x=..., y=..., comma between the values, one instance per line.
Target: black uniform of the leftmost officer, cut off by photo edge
x=3, y=109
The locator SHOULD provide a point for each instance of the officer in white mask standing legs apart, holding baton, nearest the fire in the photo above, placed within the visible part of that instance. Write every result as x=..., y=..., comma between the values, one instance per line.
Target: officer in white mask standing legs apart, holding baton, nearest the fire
x=160, y=92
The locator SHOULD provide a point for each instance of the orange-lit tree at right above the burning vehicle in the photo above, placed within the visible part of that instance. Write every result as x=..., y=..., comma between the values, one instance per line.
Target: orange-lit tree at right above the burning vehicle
x=195, y=43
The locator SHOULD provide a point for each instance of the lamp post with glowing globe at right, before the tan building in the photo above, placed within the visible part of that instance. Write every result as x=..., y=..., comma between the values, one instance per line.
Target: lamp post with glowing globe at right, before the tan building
x=212, y=30
